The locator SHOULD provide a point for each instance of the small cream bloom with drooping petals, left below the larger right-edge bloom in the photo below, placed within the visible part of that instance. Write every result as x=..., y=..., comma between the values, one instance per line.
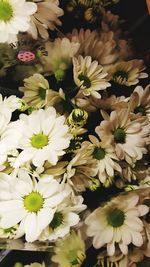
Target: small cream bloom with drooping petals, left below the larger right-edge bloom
x=106, y=161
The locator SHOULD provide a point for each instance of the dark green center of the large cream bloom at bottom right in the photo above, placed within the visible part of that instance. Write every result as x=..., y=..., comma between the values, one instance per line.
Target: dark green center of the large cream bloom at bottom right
x=115, y=217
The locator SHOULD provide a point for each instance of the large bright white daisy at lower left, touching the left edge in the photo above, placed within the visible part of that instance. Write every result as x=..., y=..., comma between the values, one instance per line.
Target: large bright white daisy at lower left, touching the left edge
x=30, y=204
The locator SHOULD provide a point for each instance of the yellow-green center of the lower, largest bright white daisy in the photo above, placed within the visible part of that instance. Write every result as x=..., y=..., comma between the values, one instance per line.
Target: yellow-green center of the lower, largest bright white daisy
x=33, y=202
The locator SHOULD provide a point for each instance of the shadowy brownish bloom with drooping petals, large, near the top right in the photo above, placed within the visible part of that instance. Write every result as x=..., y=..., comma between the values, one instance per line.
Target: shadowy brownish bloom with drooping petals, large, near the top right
x=102, y=47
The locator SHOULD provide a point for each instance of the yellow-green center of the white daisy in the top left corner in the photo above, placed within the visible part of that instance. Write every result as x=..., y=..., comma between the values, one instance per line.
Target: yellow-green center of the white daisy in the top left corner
x=6, y=11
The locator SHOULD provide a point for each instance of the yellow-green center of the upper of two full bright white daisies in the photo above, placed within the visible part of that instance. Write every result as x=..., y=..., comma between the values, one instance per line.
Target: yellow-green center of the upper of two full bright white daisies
x=39, y=140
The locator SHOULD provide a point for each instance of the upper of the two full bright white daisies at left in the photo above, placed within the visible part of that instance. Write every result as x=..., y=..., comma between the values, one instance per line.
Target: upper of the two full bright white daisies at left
x=44, y=137
